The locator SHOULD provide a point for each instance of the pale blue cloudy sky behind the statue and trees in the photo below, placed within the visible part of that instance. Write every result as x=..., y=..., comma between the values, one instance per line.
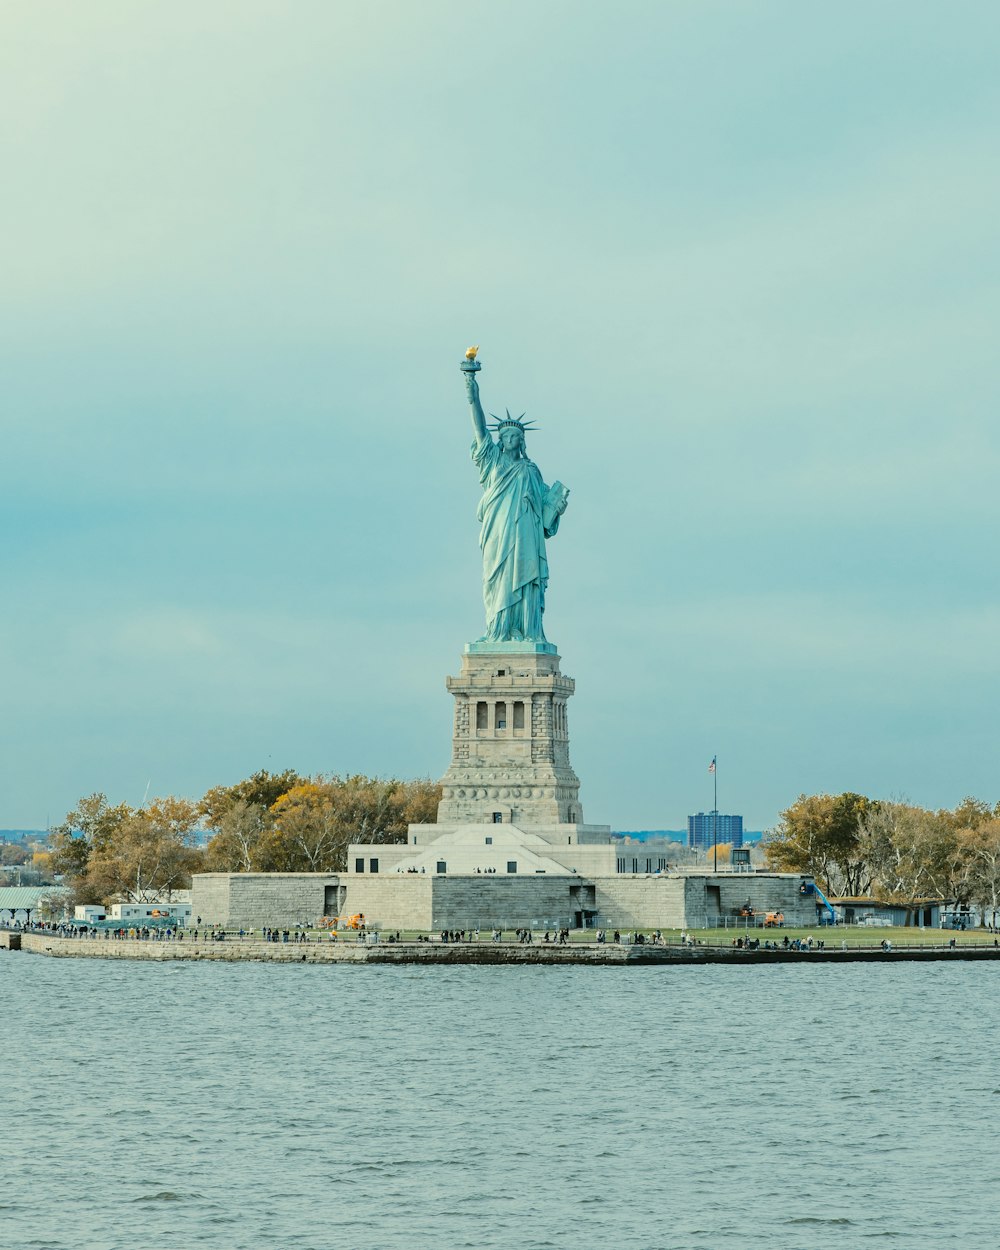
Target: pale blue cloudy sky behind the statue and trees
x=738, y=261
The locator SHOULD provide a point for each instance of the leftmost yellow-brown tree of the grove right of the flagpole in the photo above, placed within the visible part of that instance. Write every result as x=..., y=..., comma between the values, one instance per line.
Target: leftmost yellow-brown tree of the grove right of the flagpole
x=819, y=836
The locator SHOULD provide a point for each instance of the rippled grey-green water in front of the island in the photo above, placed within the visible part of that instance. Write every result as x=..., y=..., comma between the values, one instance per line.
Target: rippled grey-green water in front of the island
x=244, y=1107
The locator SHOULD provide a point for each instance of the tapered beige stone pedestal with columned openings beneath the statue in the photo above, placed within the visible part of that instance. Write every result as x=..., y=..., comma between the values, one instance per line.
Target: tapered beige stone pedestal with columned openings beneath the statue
x=511, y=757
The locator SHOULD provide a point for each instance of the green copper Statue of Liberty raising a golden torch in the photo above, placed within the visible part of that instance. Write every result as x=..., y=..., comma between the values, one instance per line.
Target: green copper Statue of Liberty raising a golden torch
x=518, y=513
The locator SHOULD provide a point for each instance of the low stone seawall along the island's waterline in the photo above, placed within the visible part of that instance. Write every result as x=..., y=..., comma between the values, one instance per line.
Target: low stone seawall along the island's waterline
x=484, y=953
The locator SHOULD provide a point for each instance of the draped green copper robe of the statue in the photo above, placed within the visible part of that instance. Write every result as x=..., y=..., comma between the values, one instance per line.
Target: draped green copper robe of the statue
x=513, y=533
